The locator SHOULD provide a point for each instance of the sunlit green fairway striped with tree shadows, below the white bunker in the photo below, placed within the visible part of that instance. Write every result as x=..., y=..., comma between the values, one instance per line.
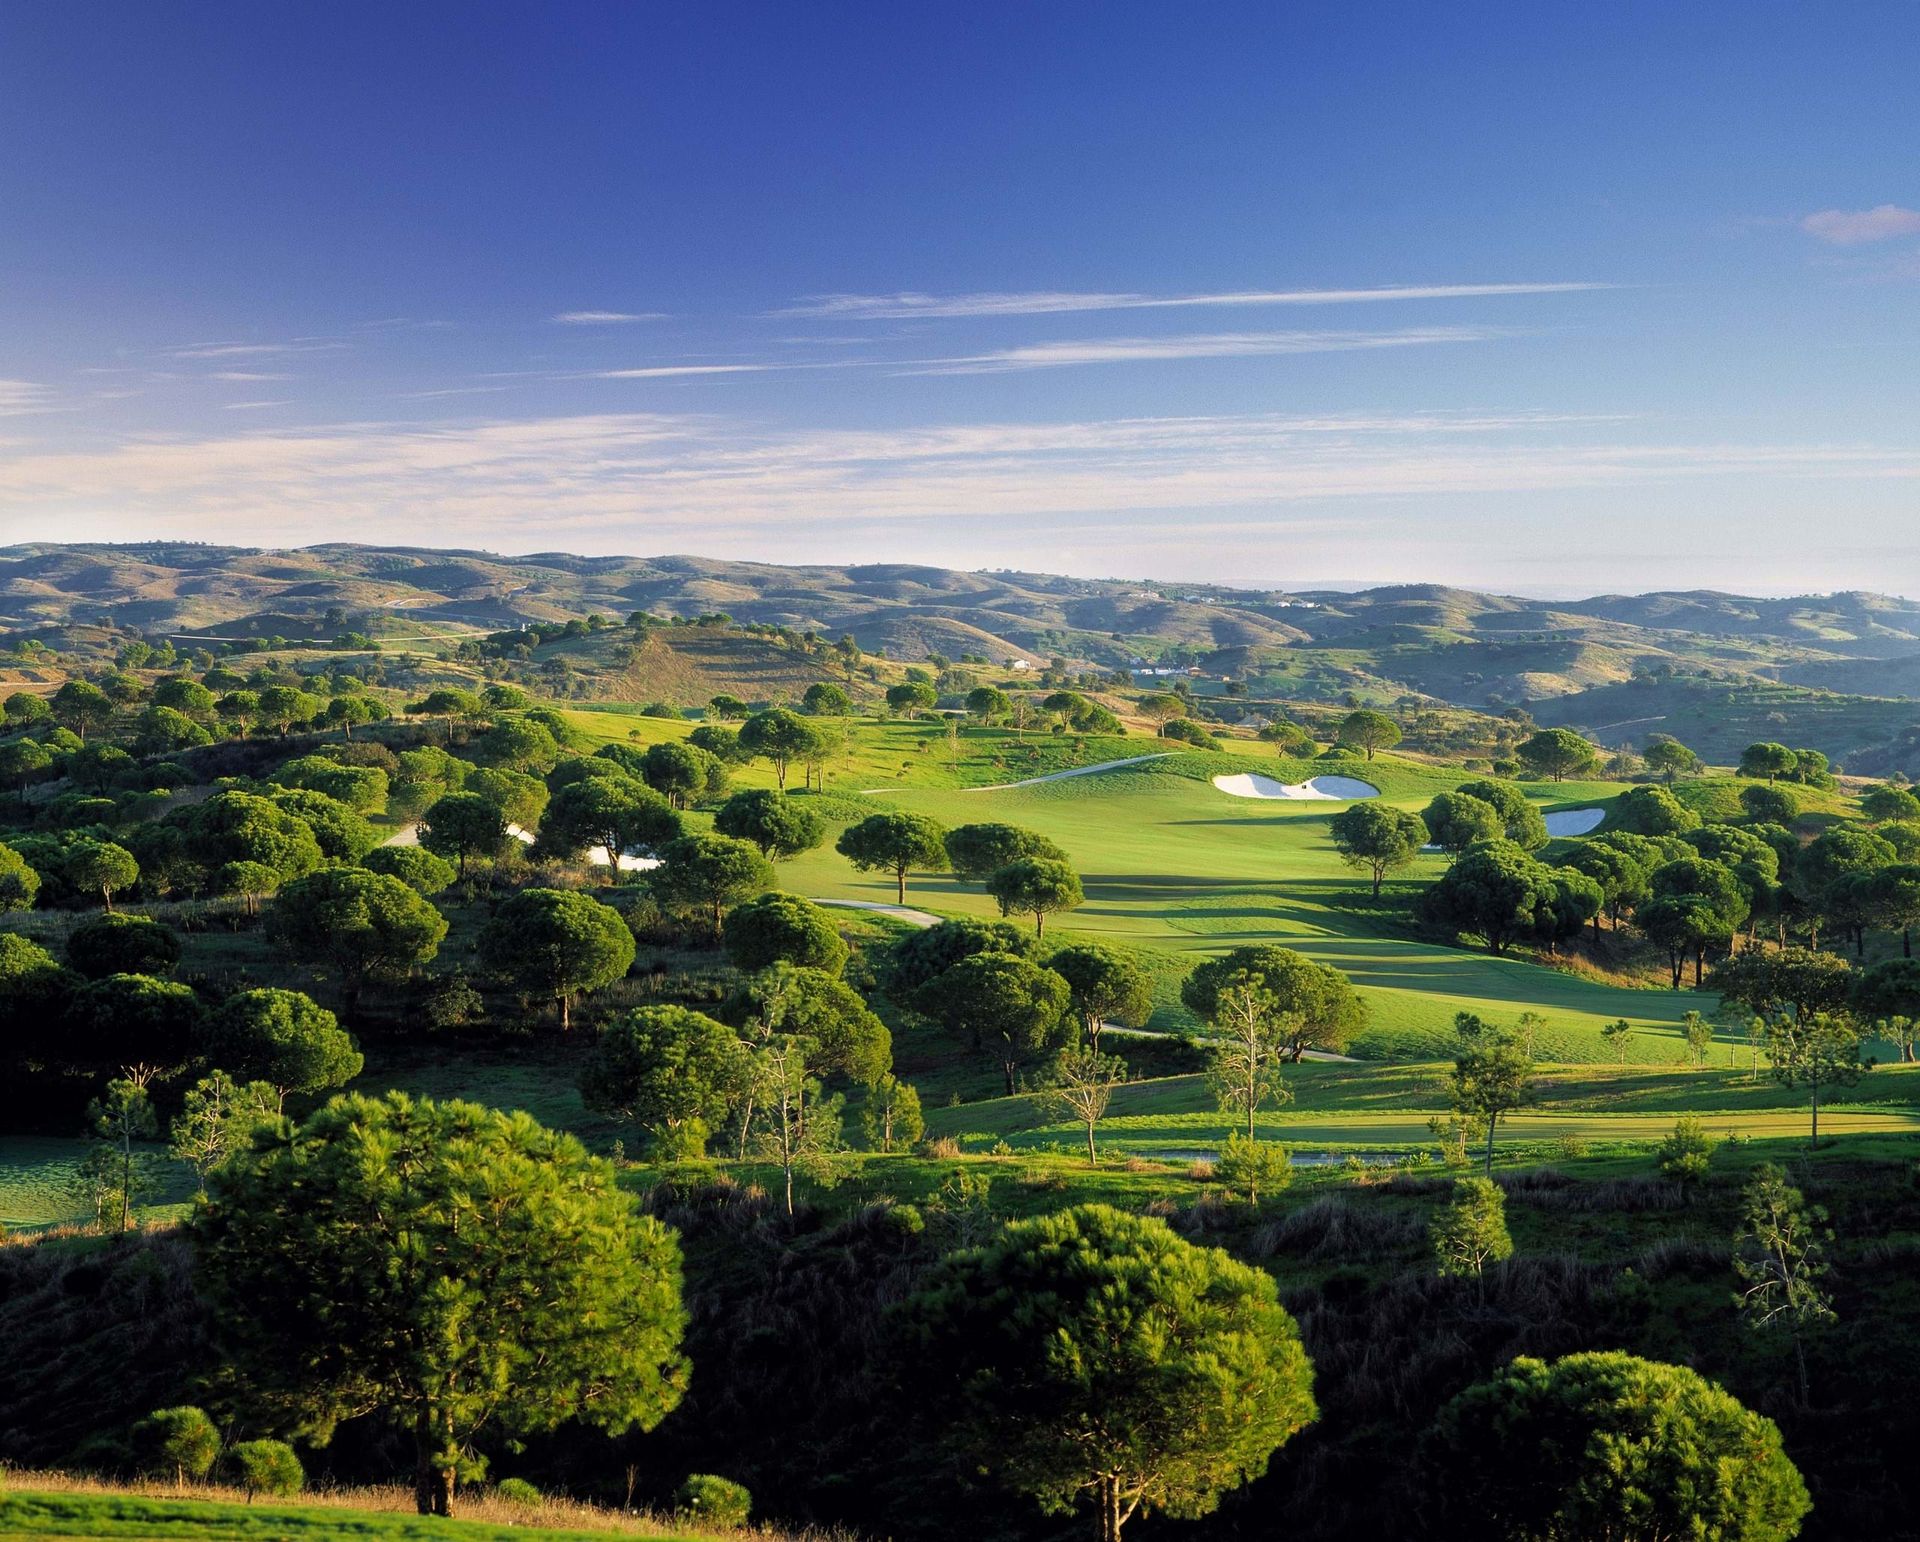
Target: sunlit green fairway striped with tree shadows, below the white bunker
x=1174, y=865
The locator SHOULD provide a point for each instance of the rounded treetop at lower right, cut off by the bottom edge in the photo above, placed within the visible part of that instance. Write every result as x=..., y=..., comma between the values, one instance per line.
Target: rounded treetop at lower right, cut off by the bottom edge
x=1608, y=1447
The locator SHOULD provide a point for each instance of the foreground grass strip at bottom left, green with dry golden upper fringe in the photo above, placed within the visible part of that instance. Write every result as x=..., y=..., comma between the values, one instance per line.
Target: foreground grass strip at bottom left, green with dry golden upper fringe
x=51, y=1505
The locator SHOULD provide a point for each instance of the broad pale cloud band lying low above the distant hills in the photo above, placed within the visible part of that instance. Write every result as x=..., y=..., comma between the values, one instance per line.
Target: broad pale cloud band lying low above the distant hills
x=717, y=485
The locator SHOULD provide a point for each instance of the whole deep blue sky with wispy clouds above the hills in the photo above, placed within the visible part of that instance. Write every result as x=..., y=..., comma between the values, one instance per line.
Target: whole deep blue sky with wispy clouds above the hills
x=1537, y=299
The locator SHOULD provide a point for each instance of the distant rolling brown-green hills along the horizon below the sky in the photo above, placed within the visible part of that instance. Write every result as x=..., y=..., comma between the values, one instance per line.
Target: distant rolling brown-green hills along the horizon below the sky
x=1833, y=671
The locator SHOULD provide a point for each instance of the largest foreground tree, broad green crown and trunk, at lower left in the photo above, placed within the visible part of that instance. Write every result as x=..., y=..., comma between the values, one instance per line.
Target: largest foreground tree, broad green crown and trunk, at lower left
x=450, y=1266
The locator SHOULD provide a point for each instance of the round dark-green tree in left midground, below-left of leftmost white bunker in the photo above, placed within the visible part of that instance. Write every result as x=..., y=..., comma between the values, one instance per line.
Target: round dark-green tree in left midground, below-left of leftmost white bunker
x=360, y=925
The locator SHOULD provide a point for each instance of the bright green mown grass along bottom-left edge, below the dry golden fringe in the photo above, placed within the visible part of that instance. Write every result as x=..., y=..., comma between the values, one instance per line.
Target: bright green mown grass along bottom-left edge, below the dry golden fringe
x=41, y=1514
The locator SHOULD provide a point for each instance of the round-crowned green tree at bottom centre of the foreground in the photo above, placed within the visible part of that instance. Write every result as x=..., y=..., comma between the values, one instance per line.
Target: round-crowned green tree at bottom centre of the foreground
x=1097, y=1357
